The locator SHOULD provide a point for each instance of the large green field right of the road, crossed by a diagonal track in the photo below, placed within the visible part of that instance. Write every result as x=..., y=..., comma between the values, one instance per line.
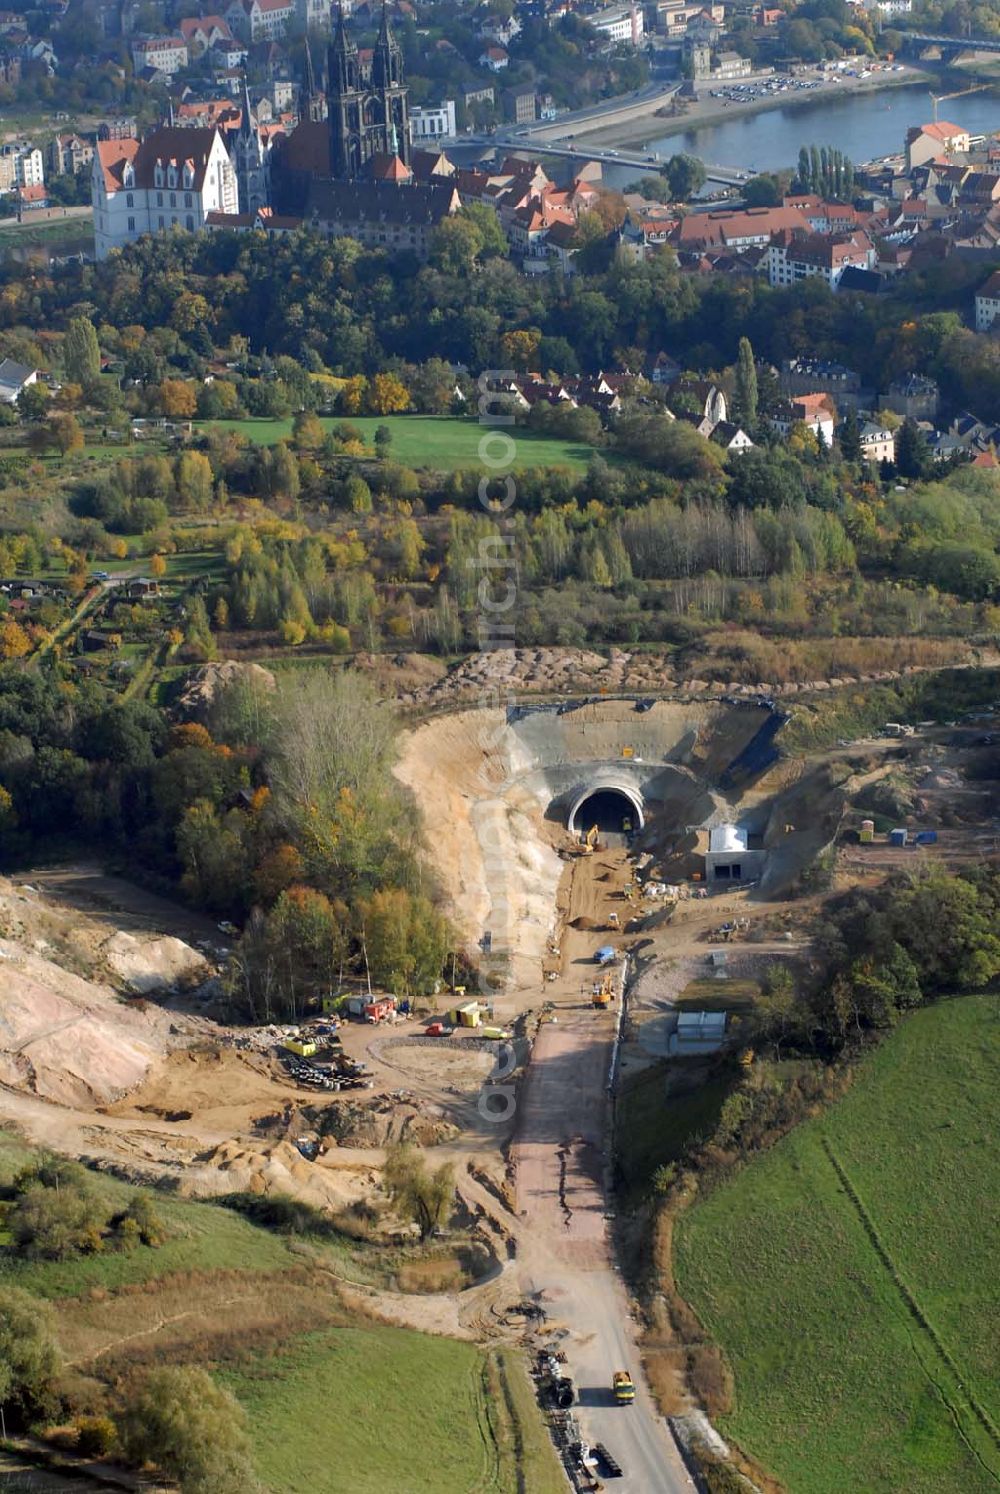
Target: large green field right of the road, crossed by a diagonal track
x=850, y=1275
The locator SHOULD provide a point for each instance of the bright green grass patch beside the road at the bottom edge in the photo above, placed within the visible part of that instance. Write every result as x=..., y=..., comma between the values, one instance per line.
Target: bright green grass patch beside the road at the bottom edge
x=370, y=1410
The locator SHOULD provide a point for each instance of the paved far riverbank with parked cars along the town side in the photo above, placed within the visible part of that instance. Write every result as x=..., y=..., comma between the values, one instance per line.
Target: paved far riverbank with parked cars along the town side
x=651, y=126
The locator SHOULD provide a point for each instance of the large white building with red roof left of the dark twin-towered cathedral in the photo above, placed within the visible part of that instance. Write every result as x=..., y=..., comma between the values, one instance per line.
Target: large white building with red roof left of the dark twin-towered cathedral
x=174, y=179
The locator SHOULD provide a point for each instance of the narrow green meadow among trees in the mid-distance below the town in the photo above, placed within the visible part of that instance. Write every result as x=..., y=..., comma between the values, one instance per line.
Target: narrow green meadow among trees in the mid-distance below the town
x=439, y=443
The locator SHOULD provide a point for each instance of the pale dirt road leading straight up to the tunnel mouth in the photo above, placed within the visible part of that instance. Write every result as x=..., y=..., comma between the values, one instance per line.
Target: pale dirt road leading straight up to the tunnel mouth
x=564, y=1248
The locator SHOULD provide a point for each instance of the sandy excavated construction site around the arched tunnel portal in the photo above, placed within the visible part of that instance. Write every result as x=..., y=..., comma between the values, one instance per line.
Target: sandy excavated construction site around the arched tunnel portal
x=611, y=861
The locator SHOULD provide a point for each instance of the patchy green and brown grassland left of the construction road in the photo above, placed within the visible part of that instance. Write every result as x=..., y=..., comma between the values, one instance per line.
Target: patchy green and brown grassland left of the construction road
x=334, y=1398
